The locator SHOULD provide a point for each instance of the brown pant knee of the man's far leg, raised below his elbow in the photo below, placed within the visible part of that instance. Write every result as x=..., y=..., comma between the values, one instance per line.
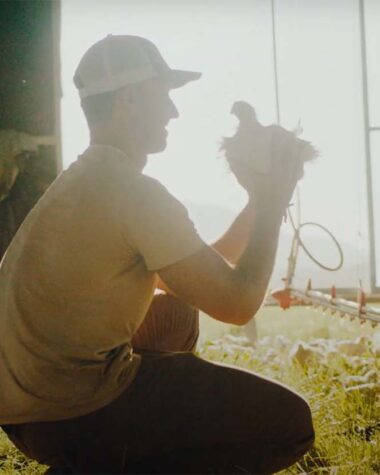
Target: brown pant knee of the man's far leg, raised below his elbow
x=170, y=325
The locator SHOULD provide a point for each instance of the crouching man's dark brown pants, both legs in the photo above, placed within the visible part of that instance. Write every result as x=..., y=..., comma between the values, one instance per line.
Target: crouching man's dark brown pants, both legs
x=180, y=415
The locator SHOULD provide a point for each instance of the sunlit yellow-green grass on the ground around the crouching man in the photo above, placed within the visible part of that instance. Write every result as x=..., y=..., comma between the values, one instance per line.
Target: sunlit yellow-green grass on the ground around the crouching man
x=340, y=382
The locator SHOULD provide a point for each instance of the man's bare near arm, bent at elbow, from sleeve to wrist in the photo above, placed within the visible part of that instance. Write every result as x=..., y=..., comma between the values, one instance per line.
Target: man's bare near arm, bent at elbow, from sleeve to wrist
x=231, y=295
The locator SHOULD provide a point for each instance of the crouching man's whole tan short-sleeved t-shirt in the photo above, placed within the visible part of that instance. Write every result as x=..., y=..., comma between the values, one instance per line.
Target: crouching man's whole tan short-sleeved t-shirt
x=76, y=283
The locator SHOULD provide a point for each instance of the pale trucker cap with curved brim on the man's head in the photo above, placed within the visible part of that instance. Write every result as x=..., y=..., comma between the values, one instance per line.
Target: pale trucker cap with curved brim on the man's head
x=119, y=60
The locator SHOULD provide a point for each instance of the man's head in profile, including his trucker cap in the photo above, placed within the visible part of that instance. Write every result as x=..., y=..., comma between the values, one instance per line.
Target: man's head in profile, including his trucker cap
x=124, y=85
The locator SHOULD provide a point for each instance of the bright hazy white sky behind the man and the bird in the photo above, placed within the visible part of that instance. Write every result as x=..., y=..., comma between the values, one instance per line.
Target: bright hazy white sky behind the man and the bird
x=319, y=70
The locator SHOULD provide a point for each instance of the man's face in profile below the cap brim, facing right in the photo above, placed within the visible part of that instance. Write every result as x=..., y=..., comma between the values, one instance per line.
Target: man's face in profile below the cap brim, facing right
x=148, y=110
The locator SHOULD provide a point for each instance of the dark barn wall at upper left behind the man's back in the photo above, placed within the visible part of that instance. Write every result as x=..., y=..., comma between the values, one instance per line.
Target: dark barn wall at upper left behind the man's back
x=29, y=104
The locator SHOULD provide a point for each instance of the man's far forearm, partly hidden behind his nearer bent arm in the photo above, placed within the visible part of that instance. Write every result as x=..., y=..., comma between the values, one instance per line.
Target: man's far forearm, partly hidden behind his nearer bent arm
x=234, y=241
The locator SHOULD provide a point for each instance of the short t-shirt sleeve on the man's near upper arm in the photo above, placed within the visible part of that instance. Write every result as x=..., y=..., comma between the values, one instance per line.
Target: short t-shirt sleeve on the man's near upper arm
x=159, y=225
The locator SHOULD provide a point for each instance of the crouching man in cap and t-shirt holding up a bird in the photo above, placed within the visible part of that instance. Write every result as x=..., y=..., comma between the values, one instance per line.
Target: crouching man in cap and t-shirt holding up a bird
x=80, y=276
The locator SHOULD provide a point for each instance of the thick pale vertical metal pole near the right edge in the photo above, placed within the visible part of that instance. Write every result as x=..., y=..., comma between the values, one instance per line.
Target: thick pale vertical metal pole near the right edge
x=371, y=224
